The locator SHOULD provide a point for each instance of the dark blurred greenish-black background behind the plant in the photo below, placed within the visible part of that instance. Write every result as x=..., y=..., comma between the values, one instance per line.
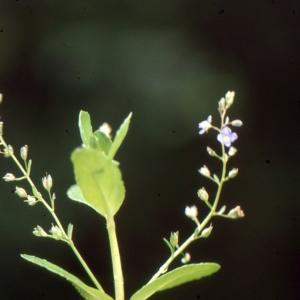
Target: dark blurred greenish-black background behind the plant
x=169, y=62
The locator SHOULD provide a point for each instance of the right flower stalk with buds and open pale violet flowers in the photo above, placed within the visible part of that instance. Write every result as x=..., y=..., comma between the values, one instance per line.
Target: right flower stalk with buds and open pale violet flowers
x=226, y=137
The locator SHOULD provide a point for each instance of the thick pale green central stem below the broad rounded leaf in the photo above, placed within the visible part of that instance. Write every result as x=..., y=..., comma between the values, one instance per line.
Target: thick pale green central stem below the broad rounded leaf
x=116, y=259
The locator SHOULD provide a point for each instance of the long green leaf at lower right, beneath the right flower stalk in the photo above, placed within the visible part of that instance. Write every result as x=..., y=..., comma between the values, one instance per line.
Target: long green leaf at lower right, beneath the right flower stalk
x=176, y=277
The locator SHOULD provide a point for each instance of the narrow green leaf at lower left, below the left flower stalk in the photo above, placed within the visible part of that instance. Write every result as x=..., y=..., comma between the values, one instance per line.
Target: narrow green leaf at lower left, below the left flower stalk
x=85, y=291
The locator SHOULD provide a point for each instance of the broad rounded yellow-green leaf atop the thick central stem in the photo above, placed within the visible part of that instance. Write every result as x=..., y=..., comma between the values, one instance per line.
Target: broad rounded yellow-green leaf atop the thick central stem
x=99, y=179
